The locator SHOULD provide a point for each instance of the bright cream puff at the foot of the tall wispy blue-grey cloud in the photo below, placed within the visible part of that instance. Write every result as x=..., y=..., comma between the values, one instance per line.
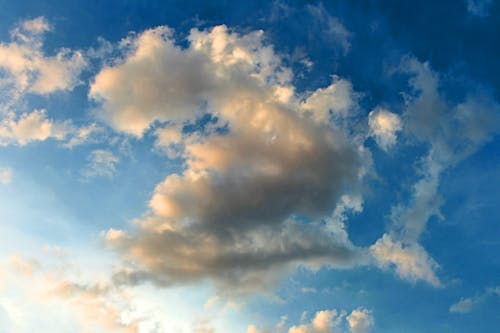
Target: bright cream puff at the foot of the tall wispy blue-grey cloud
x=410, y=260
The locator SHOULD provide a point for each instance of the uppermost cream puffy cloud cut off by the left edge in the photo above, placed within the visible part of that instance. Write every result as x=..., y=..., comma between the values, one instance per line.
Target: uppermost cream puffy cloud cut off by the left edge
x=26, y=69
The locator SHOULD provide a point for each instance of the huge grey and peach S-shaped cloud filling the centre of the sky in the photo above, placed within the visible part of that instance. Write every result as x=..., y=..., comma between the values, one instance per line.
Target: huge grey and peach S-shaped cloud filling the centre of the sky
x=235, y=211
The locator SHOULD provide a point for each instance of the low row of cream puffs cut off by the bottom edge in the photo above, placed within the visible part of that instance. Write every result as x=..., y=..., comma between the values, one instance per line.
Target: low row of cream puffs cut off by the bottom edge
x=328, y=321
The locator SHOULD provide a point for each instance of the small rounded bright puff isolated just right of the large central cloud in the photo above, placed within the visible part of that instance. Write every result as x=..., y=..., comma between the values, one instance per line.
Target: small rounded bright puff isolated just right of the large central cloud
x=383, y=126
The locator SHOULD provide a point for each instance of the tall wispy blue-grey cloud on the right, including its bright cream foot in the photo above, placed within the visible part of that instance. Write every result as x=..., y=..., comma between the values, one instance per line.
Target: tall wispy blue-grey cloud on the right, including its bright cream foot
x=452, y=132
